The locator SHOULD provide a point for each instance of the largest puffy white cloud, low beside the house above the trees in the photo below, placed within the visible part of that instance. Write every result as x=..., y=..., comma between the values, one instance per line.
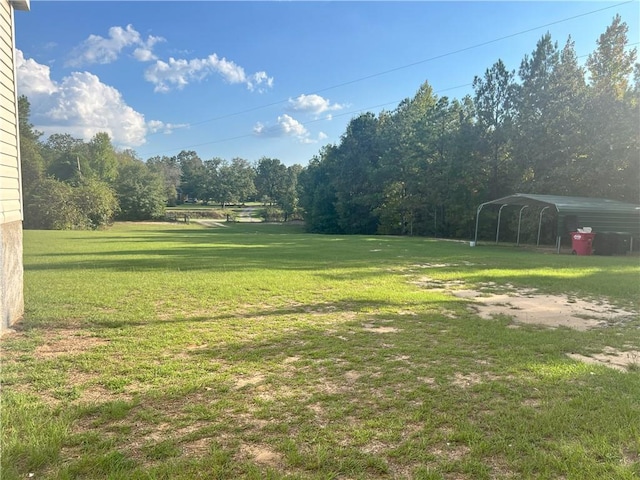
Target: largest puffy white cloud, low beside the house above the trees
x=80, y=105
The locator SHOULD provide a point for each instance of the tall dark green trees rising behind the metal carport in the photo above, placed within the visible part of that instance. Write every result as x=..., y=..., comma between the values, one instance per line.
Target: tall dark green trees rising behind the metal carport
x=423, y=168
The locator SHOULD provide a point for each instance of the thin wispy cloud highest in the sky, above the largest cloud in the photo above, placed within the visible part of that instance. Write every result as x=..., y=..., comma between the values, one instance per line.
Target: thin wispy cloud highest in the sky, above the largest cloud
x=97, y=49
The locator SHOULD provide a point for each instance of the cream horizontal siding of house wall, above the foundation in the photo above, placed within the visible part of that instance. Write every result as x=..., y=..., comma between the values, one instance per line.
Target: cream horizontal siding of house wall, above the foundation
x=10, y=194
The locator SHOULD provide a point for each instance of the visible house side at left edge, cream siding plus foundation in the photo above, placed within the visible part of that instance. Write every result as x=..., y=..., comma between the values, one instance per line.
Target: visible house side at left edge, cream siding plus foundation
x=11, y=210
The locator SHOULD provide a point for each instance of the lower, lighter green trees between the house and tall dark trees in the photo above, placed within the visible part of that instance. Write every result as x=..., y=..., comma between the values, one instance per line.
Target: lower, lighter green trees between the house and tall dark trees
x=72, y=184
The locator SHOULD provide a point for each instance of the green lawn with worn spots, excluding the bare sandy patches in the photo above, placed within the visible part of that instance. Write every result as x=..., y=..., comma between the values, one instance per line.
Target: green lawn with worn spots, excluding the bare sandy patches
x=258, y=351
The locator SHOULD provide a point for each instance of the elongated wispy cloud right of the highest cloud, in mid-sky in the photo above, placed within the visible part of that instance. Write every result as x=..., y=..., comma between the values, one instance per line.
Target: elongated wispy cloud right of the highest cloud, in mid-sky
x=177, y=73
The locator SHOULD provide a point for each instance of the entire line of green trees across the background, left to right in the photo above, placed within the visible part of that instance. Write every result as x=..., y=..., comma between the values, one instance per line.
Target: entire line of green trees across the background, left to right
x=554, y=127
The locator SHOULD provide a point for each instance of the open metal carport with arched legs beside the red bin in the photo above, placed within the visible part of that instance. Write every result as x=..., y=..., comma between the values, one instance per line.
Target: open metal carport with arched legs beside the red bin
x=602, y=215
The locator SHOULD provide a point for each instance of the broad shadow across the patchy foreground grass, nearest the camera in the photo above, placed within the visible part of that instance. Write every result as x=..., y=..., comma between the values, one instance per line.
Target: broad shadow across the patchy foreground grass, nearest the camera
x=378, y=373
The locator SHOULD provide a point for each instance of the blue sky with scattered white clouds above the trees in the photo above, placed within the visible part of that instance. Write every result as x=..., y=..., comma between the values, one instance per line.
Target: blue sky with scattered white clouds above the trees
x=269, y=79
